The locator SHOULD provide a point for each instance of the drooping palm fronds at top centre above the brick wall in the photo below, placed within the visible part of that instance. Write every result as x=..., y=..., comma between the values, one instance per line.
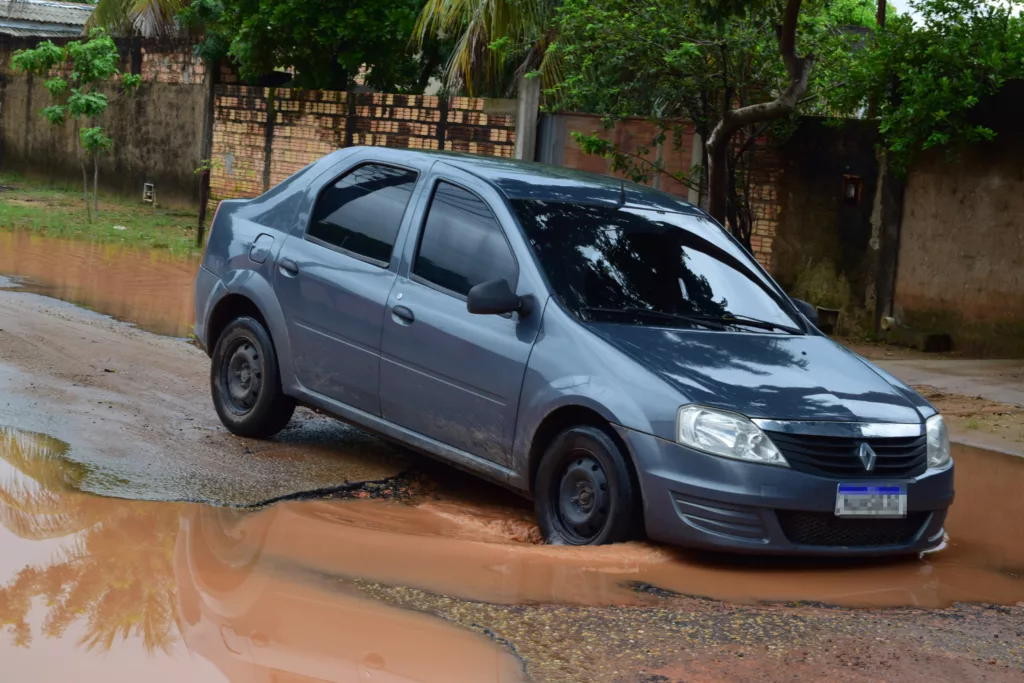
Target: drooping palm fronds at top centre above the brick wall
x=496, y=40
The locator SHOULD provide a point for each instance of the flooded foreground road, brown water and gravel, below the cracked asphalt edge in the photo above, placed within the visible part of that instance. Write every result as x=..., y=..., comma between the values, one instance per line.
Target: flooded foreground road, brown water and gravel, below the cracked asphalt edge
x=450, y=588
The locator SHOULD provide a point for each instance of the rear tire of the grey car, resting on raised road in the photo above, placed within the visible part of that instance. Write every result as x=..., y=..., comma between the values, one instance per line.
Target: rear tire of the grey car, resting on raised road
x=246, y=382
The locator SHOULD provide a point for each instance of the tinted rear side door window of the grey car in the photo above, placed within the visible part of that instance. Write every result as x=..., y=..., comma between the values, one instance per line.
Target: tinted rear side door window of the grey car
x=362, y=211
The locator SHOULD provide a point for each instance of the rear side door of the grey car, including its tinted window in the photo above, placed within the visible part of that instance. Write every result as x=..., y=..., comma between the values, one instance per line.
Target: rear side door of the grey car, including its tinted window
x=333, y=281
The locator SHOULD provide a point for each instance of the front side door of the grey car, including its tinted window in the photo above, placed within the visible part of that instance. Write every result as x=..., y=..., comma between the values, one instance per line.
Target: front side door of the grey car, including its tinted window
x=446, y=373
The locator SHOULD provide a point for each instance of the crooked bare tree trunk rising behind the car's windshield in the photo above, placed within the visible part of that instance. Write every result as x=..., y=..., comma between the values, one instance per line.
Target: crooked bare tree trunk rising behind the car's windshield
x=720, y=142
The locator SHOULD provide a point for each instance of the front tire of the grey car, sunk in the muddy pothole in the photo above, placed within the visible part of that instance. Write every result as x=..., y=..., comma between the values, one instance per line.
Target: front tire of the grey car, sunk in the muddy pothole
x=585, y=493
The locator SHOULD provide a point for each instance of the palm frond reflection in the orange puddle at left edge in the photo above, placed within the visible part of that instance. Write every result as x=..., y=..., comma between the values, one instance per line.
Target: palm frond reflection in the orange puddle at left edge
x=116, y=575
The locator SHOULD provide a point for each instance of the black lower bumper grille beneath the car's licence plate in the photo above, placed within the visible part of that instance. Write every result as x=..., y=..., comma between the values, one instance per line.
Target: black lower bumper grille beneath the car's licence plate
x=825, y=529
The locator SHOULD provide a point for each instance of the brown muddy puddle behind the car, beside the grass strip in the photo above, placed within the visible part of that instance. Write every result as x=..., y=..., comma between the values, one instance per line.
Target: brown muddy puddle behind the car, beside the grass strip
x=150, y=288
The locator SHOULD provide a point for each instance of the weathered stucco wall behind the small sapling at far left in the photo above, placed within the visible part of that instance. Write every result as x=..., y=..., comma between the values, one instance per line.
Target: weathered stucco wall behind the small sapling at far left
x=157, y=134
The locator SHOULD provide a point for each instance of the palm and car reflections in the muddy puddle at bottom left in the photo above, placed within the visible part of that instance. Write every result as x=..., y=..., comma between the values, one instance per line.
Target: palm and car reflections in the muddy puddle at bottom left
x=158, y=574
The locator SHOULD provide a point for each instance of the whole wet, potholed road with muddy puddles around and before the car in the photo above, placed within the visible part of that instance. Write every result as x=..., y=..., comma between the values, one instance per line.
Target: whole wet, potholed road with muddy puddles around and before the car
x=443, y=581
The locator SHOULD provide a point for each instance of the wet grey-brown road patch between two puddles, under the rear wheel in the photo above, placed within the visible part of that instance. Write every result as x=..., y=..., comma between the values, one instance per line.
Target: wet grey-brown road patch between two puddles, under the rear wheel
x=136, y=409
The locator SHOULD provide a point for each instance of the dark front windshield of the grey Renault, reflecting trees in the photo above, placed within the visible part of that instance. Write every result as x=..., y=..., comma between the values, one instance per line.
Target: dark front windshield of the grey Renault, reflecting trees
x=643, y=267
